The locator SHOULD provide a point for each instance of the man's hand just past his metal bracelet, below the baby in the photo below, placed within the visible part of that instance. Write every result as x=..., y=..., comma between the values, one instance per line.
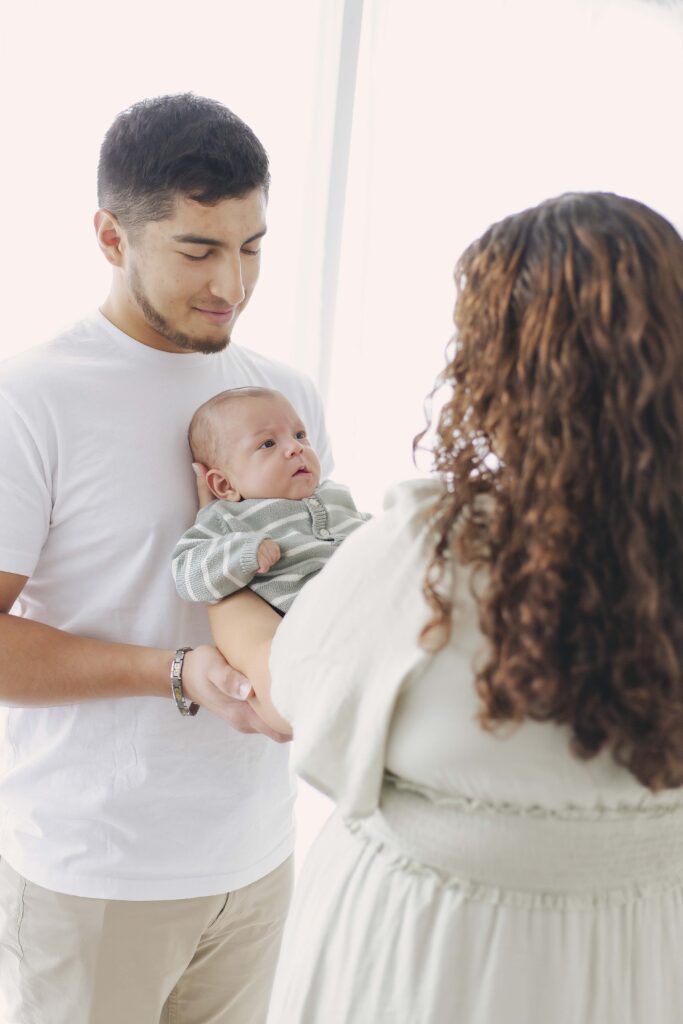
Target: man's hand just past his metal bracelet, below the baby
x=209, y=680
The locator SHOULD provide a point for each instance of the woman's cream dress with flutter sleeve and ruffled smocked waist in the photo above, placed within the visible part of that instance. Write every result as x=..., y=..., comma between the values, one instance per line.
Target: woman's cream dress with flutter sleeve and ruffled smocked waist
x=464, y=877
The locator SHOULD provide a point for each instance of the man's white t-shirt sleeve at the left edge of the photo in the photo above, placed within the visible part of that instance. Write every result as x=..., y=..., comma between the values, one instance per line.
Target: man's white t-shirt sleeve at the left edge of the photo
x=26, y=501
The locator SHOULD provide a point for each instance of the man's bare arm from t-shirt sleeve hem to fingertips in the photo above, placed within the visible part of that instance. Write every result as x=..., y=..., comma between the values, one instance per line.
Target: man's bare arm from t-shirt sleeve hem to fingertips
x=45, y=667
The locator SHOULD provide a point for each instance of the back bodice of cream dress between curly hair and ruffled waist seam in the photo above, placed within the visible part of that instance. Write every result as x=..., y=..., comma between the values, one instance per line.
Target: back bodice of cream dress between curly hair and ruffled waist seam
x=438, y=744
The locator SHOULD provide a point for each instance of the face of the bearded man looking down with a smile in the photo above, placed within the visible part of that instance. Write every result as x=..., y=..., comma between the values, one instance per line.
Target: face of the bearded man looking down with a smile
x=189, y=278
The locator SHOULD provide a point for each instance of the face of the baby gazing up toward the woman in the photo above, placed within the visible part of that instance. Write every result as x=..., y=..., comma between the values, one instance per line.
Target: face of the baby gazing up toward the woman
x=267, y=451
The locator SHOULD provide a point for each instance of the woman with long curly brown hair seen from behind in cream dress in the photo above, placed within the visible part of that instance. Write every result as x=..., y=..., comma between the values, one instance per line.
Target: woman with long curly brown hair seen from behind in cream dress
x=489, y=679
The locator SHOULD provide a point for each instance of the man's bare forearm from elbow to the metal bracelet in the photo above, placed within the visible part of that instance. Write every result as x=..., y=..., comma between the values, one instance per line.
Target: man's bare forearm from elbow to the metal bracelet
x=42, y=666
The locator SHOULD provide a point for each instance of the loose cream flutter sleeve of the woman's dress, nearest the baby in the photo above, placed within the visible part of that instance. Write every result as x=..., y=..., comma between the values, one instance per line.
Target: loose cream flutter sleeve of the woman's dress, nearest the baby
x=350, y=646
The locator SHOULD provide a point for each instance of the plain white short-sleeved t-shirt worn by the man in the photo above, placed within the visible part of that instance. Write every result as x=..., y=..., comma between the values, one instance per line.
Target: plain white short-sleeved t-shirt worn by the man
x=125, y=799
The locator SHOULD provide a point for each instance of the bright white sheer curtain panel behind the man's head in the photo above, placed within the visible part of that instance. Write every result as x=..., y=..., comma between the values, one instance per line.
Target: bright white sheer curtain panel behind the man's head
x=67, y=71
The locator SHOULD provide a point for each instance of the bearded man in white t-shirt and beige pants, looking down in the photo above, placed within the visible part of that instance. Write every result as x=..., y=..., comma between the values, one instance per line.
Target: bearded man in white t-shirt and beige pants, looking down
x=146, y=854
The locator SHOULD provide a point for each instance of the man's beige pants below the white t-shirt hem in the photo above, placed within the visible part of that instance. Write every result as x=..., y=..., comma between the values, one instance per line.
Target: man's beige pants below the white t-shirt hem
x=70, y=960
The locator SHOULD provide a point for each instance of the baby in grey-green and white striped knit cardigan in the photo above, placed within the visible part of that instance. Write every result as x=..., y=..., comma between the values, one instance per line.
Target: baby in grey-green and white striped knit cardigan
x=274, y=525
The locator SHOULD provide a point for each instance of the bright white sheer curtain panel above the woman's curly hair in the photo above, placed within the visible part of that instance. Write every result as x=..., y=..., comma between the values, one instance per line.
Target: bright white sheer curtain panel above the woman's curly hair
x=465, y=113
